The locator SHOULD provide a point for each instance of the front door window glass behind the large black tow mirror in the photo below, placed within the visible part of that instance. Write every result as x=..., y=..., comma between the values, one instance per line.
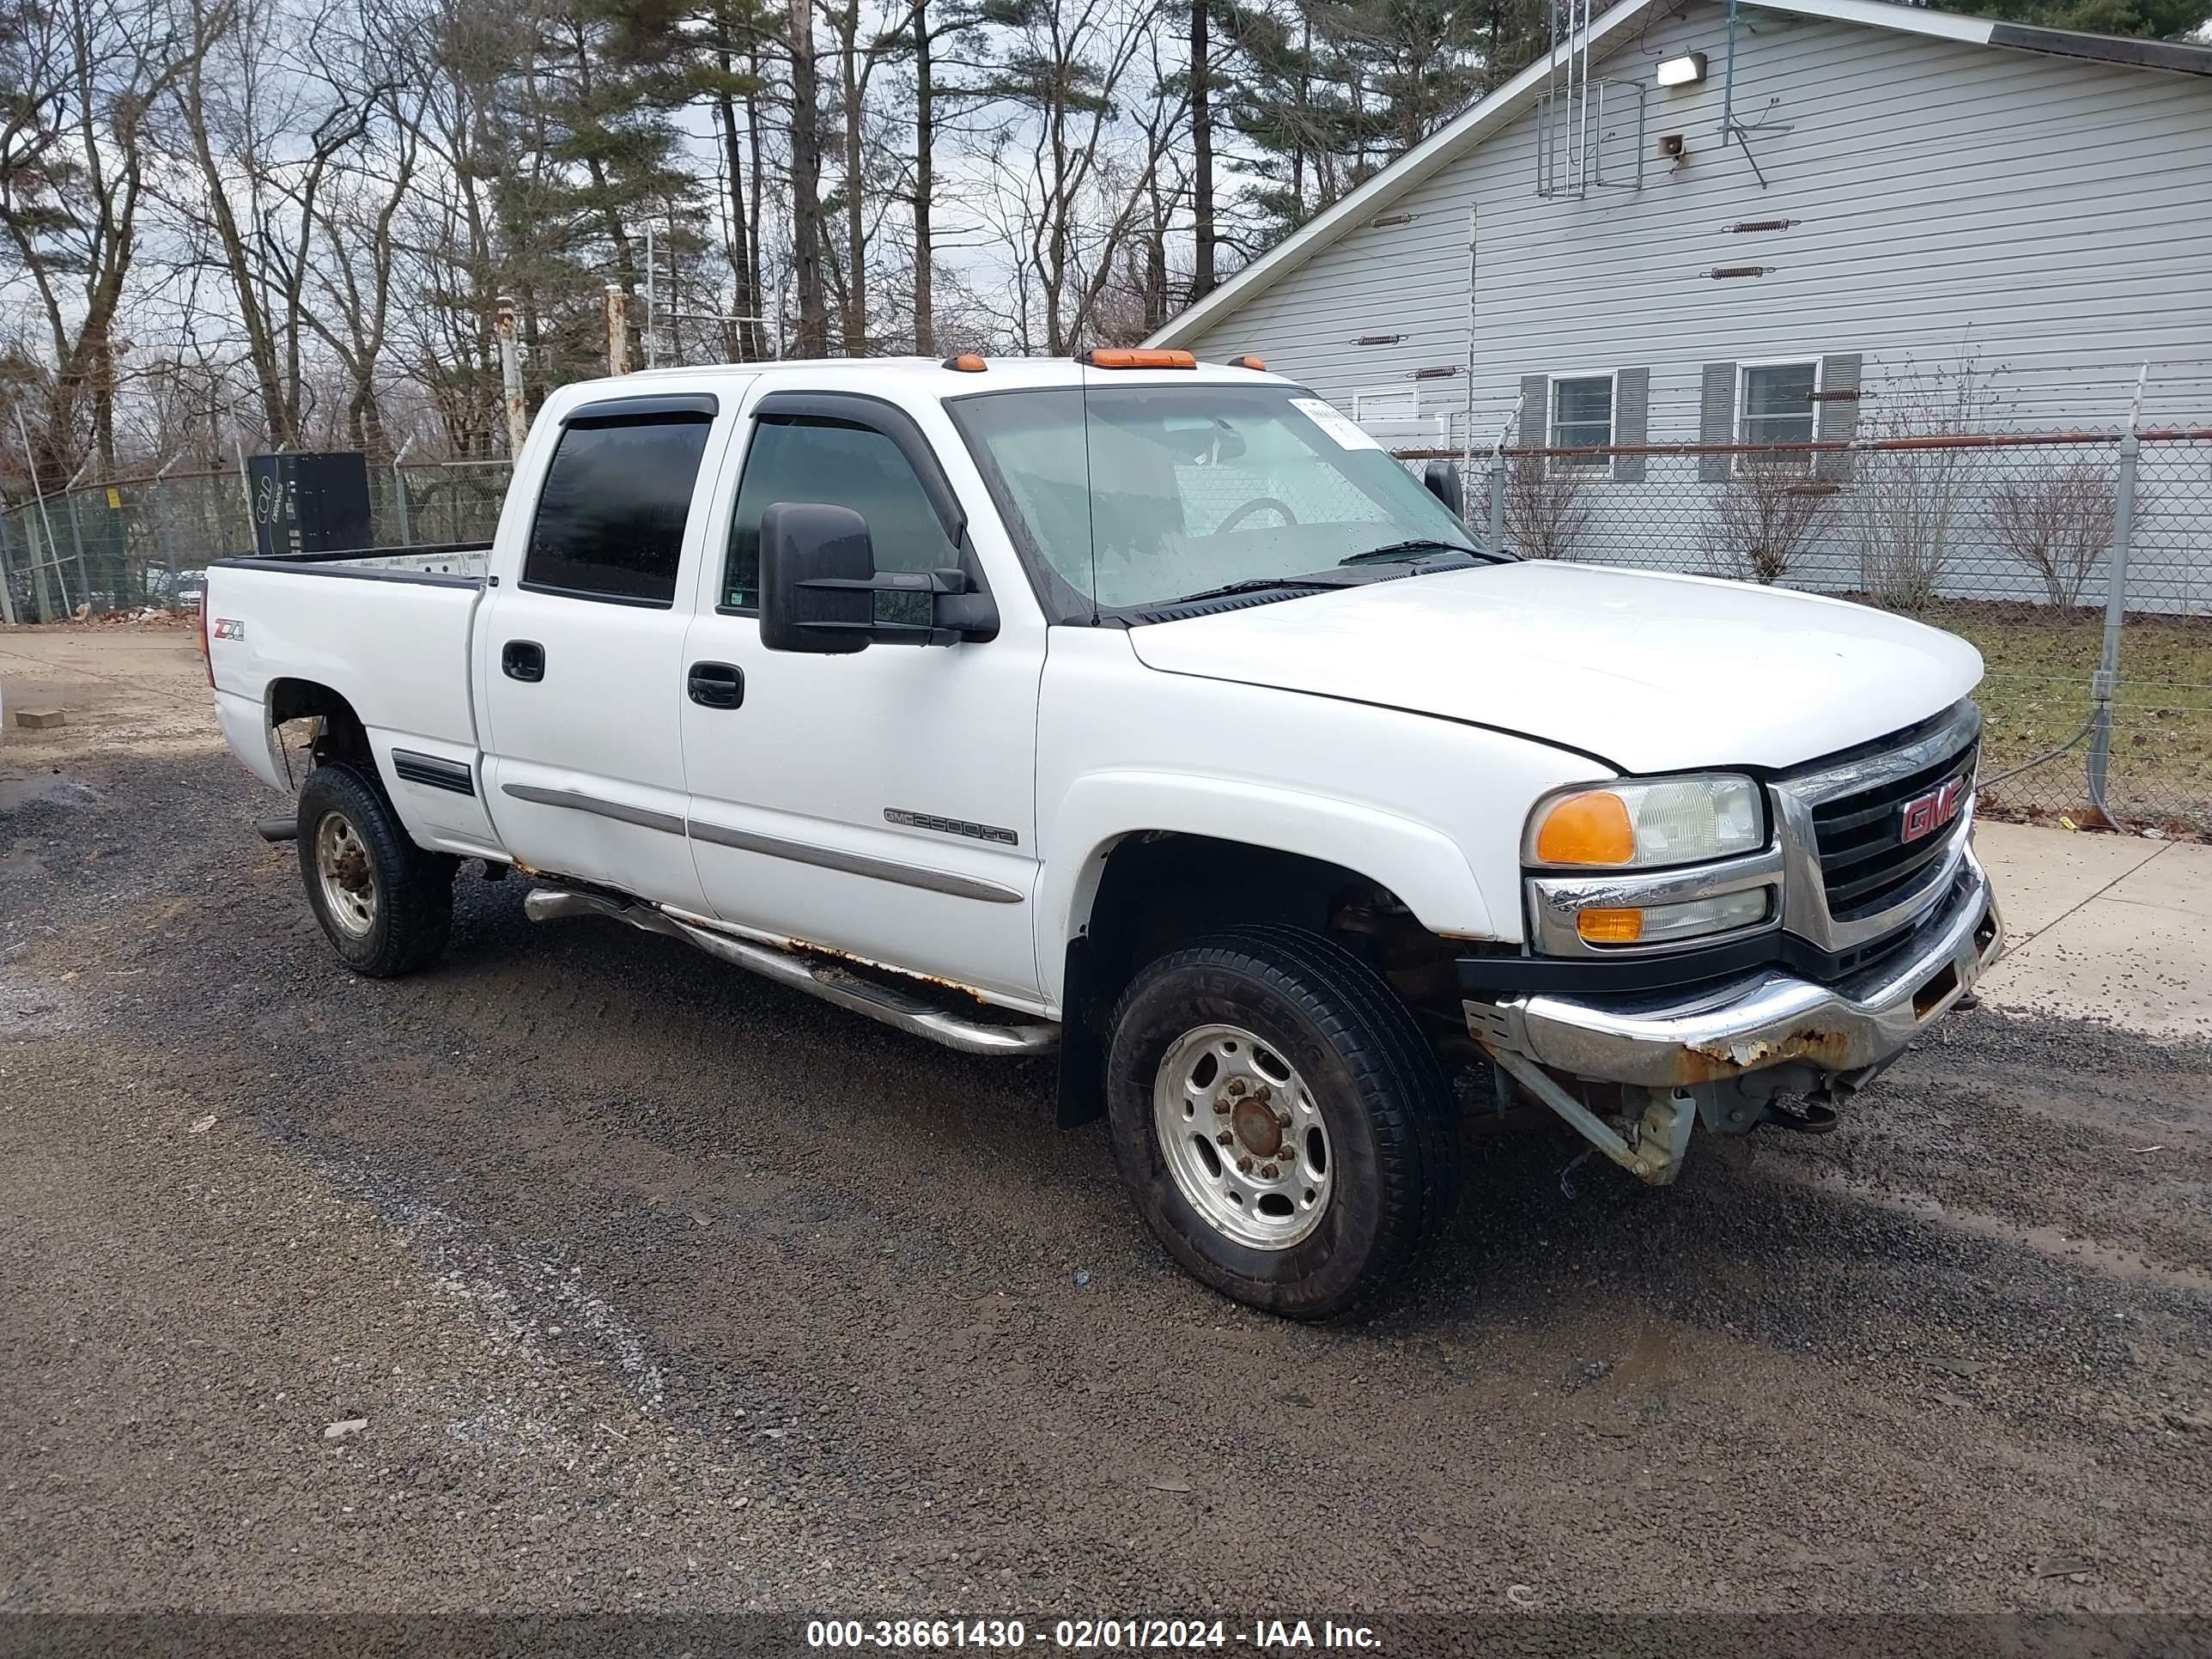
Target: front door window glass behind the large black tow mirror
x=844, y=466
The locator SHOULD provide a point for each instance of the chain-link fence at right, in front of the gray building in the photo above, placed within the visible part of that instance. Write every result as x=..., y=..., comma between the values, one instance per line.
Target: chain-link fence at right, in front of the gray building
x=2080, y=565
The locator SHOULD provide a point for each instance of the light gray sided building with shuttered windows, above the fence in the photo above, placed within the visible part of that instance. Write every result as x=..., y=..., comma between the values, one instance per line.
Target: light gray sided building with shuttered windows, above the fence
x=1764, y=225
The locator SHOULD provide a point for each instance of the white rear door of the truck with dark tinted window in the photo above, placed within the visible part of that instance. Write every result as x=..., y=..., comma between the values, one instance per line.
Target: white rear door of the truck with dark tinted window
x=581, y=658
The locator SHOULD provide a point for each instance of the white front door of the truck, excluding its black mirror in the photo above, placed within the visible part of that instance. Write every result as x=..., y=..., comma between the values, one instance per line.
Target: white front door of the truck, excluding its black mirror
x=877, y=802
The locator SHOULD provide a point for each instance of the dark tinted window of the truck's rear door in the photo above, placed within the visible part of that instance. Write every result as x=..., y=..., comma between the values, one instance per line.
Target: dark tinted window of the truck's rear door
x=614, y=505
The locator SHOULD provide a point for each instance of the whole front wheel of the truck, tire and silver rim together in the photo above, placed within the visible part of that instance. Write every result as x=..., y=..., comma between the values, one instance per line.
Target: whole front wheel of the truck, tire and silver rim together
x=1280, y=1120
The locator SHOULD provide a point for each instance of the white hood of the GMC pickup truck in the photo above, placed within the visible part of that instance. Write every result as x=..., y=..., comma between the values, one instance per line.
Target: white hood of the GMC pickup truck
x=1651, y=674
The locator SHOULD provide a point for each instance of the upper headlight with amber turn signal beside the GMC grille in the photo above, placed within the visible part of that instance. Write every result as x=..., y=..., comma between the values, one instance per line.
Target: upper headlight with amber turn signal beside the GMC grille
x=1649, y=824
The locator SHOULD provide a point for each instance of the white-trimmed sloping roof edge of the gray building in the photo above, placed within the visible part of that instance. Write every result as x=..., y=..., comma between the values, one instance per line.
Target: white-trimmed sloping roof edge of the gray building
x=1450, y=143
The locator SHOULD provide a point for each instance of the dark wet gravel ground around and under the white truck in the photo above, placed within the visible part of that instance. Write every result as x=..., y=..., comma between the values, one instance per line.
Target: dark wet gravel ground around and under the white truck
x=585, y=1273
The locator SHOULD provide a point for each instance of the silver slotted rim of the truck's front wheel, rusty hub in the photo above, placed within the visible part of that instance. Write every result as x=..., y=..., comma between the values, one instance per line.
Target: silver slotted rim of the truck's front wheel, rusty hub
x=1244, y=1138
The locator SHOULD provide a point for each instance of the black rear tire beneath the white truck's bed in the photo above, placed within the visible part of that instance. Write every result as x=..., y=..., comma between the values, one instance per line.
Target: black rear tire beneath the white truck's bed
x=406, y=912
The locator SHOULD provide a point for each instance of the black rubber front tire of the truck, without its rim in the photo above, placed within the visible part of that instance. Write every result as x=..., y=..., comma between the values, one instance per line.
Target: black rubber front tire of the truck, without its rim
x=1368, y=1070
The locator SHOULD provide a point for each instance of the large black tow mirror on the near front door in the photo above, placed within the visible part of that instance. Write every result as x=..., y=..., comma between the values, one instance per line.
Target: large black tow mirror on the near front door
x=820, y=587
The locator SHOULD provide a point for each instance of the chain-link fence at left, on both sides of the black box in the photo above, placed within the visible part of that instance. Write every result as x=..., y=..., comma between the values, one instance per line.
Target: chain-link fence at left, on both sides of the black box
x=145, y=543
